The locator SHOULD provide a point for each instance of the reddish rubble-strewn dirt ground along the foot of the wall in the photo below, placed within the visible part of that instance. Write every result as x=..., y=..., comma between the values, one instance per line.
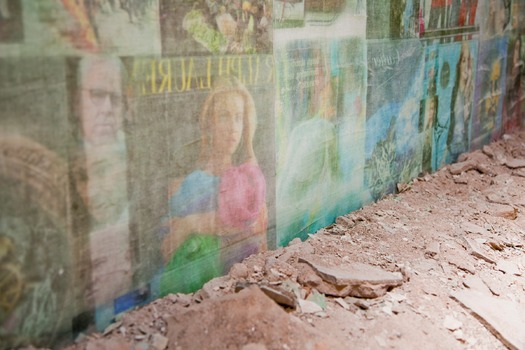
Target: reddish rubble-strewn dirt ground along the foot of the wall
x=440, y=265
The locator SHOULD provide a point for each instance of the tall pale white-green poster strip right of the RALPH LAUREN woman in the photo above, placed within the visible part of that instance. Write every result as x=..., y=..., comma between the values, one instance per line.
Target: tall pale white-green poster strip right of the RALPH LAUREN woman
x=320, y=118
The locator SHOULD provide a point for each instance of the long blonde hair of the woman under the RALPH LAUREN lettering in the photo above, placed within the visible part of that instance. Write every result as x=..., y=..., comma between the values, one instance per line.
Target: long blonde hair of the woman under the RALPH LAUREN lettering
x=223, y=85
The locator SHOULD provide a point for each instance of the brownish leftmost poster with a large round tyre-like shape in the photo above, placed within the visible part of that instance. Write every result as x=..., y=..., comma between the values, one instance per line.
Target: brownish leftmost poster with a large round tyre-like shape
x=37, y=260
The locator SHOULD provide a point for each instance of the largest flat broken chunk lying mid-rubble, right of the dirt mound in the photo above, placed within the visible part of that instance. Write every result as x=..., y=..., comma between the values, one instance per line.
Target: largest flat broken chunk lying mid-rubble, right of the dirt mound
x=359, y=280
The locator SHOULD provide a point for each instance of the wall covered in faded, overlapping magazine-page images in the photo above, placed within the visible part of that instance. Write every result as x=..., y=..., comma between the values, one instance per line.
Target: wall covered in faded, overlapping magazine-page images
x=146, y=146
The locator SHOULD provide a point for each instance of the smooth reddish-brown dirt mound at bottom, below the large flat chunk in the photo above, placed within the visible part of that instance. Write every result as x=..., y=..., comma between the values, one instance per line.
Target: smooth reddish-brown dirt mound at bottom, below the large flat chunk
x=252, y=315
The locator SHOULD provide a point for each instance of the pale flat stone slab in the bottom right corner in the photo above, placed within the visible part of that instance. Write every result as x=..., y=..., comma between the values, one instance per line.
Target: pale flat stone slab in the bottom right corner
x=505, y=319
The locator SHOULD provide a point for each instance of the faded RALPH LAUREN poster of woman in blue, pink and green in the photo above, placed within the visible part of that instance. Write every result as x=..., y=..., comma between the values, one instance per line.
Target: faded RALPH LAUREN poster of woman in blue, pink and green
x=211, y=171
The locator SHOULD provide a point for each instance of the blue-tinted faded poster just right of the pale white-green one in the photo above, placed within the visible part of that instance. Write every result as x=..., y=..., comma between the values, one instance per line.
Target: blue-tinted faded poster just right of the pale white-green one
x=391, y=112
